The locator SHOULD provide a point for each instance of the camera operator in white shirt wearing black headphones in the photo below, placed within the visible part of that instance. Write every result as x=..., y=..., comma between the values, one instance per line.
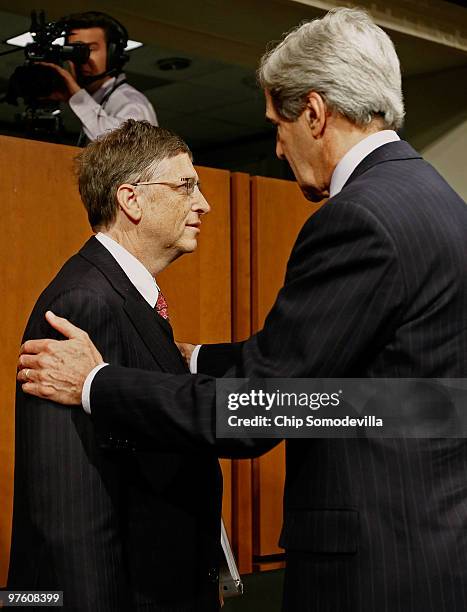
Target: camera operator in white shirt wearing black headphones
x=97, y=91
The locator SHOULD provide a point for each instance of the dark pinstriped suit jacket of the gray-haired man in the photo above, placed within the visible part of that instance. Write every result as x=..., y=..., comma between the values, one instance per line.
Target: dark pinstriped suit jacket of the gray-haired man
x=376, y=286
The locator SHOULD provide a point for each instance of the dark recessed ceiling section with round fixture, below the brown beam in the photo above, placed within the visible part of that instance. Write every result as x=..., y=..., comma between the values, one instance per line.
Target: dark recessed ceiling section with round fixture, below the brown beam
x=210, y=101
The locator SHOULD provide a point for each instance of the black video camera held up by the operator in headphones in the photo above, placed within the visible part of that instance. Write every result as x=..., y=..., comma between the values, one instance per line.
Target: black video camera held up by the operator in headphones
x=33, y=82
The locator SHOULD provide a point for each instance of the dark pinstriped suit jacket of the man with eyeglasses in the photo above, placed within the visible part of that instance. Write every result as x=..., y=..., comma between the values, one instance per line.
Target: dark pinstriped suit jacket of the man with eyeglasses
x=115, y=528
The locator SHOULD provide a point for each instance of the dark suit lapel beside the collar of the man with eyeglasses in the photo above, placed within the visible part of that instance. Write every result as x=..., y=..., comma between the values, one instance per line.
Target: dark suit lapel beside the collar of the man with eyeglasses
x=155, y=332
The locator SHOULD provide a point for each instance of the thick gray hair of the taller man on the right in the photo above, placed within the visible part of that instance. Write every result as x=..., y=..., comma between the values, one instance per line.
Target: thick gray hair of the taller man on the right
x=347, y=59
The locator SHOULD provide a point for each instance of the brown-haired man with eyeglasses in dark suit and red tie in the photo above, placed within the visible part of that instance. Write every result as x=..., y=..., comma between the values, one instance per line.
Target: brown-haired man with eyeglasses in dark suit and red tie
x=118, y=528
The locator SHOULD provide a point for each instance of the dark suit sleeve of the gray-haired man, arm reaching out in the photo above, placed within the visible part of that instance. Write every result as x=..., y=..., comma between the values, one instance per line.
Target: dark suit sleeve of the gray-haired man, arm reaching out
x=341, y=300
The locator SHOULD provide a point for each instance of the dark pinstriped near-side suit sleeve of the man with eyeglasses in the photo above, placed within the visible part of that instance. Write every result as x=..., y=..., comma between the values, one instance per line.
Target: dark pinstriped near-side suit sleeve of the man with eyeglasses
x=58, y=464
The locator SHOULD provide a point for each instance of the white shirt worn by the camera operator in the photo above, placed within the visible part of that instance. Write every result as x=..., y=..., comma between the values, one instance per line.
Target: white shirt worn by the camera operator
x=125, y=102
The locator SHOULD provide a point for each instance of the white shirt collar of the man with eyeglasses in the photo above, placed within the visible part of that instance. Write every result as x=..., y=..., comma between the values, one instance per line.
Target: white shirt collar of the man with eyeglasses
x=138, y=275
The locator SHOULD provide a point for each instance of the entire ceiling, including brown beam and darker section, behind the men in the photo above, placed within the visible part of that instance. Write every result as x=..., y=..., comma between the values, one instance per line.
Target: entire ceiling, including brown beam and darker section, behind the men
x=215, y=100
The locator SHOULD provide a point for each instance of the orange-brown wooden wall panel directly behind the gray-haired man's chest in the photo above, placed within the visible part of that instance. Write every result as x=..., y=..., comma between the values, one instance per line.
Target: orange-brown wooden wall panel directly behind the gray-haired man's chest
x=279, y=210
